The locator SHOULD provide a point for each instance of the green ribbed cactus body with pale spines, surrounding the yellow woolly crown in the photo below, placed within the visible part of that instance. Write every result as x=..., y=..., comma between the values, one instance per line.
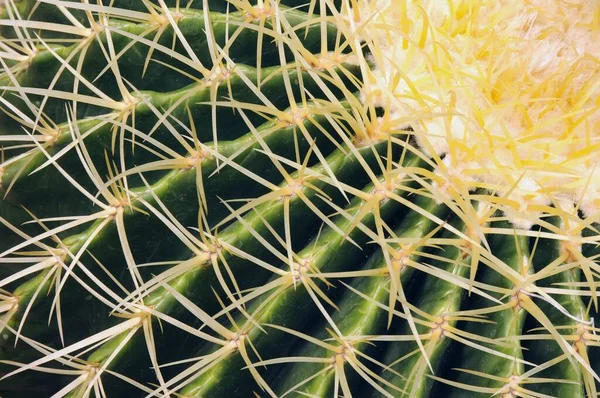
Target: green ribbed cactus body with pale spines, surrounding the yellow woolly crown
x=245, y=255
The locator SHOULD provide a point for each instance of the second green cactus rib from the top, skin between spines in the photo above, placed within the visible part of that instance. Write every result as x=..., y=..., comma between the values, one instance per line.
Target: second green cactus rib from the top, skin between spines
x=197, y=97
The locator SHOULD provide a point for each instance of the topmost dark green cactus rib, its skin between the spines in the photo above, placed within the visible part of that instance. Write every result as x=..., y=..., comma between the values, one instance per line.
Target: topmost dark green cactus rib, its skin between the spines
x=44, y=66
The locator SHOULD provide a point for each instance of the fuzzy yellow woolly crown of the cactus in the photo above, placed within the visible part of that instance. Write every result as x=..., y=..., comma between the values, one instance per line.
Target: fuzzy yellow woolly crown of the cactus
x=506, y=92
